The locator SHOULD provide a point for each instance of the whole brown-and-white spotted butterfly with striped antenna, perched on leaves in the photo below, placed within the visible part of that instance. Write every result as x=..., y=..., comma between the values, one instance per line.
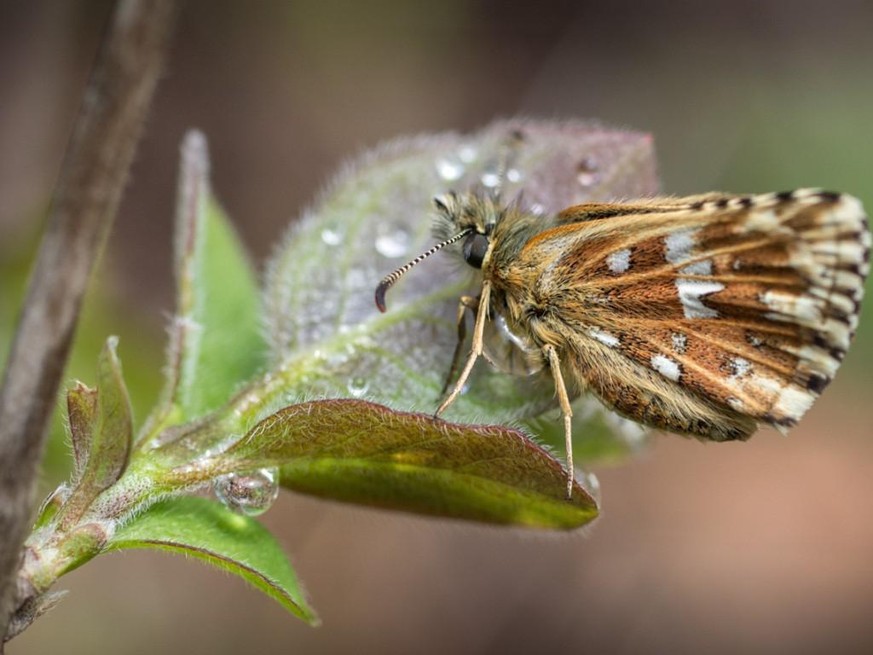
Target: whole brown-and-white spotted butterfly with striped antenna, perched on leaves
x=705, y=315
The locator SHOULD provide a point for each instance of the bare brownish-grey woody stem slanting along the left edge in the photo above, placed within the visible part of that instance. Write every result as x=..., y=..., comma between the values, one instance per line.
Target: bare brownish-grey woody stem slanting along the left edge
x=84, y=204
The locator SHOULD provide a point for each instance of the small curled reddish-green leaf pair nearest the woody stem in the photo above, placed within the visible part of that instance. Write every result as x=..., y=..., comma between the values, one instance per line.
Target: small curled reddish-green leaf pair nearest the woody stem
x=102, y=449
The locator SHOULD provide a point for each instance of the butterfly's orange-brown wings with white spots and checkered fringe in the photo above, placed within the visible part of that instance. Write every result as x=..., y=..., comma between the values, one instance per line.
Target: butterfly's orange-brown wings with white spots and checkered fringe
x=749, y=303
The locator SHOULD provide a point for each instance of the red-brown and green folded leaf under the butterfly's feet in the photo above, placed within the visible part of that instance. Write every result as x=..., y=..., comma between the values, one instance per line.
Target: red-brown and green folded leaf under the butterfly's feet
x=360, y=452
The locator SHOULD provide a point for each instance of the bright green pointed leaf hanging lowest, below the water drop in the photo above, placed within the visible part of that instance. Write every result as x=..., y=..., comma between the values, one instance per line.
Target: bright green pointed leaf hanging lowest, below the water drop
x=211, y=533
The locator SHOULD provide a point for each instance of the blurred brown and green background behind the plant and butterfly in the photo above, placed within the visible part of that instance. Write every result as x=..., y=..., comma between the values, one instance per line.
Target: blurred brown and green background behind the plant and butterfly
x=762, y=547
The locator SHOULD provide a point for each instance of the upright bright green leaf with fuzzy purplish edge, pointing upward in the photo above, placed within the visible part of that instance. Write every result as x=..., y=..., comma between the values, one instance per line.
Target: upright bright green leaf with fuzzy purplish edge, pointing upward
x=215, y=339
